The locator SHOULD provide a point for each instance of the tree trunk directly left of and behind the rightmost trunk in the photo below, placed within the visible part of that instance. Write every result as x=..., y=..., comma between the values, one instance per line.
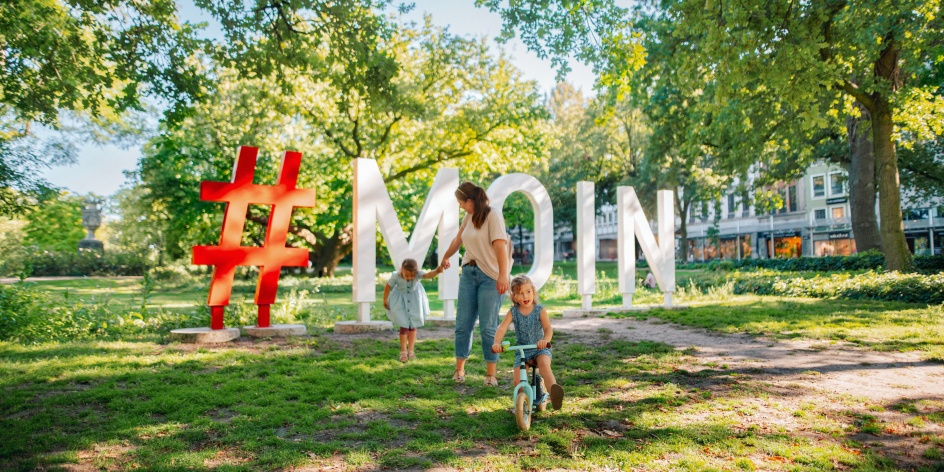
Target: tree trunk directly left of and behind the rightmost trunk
x=862, y=183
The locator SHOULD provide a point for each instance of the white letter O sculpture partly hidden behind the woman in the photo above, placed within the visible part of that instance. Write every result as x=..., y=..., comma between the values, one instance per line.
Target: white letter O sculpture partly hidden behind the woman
x=504, y=186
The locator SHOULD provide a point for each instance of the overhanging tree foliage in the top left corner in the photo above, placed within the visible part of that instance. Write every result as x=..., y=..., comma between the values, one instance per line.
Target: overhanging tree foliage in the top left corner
x=98, y=59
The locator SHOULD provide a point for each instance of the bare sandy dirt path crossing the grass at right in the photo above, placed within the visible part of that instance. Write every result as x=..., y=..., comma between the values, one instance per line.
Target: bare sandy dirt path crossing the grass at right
x=842, y=380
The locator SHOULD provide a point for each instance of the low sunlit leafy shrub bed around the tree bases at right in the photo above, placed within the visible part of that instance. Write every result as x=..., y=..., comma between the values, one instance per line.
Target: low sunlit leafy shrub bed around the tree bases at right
x=868, y=285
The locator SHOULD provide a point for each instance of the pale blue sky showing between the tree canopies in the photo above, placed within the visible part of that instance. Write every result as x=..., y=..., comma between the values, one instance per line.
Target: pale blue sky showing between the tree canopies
x=100, y=168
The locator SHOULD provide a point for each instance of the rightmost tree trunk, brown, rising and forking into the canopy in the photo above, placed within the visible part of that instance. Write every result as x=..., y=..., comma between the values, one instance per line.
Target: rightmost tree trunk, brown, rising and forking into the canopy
x=897, y=255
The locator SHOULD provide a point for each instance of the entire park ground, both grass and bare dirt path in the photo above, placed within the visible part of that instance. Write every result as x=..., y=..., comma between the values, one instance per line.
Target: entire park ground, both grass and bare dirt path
x=736, y=382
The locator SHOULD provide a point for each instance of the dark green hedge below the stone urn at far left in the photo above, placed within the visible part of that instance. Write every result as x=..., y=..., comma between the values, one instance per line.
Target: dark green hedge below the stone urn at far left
x=32, y=262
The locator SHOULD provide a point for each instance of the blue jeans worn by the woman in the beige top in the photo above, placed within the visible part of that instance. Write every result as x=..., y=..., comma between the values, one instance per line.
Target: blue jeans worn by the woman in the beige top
x=478, y=299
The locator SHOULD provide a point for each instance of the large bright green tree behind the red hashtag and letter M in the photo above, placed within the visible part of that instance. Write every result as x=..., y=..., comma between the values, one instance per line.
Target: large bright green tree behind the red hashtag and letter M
x=452, y=104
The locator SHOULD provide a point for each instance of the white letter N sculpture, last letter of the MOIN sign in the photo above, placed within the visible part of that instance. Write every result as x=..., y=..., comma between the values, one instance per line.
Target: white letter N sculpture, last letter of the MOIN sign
x=632, y=223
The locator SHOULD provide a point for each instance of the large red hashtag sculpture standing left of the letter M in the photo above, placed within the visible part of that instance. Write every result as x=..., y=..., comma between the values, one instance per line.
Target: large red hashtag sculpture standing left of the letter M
x=273, y=255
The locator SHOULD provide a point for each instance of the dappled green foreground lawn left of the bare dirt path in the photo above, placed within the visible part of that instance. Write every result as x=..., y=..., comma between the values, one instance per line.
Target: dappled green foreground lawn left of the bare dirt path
x=285, y=406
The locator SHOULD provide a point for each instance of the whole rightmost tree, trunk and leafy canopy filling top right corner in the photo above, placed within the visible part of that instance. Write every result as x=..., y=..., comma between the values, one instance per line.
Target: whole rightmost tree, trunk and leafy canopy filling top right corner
x=877, y=53
